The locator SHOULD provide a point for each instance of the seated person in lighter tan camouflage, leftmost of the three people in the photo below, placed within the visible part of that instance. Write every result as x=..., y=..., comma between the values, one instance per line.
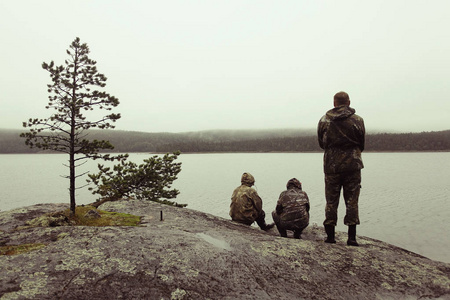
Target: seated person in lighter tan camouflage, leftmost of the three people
x=246, y=205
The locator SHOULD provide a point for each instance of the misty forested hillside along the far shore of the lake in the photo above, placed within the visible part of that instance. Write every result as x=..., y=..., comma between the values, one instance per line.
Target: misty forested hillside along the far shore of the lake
x=290, y=140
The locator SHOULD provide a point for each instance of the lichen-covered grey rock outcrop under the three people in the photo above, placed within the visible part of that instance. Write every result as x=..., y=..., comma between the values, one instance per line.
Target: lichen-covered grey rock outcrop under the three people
x=194, y=255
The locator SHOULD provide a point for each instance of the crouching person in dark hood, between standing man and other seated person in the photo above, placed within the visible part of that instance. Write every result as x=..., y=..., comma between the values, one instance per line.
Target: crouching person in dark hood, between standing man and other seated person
x=292, y=211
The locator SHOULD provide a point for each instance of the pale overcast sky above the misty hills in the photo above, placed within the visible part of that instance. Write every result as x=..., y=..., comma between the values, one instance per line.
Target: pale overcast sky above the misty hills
x=180, y=66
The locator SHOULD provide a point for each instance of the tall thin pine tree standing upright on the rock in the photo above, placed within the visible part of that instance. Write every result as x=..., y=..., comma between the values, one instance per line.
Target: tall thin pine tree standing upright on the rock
x=75, y=91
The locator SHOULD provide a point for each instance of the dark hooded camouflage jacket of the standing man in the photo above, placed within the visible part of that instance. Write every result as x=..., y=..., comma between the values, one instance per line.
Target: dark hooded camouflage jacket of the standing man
x=341, y=134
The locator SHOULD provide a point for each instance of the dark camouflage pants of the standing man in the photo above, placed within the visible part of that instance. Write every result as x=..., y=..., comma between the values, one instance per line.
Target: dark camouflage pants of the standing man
x=350, y=182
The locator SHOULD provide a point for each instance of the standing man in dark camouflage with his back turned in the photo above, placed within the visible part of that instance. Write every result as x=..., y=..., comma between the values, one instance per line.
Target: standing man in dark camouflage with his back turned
x=341, y=134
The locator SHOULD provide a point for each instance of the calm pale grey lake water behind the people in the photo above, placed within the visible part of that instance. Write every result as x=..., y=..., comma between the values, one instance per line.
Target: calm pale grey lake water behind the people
x=404, y=198
